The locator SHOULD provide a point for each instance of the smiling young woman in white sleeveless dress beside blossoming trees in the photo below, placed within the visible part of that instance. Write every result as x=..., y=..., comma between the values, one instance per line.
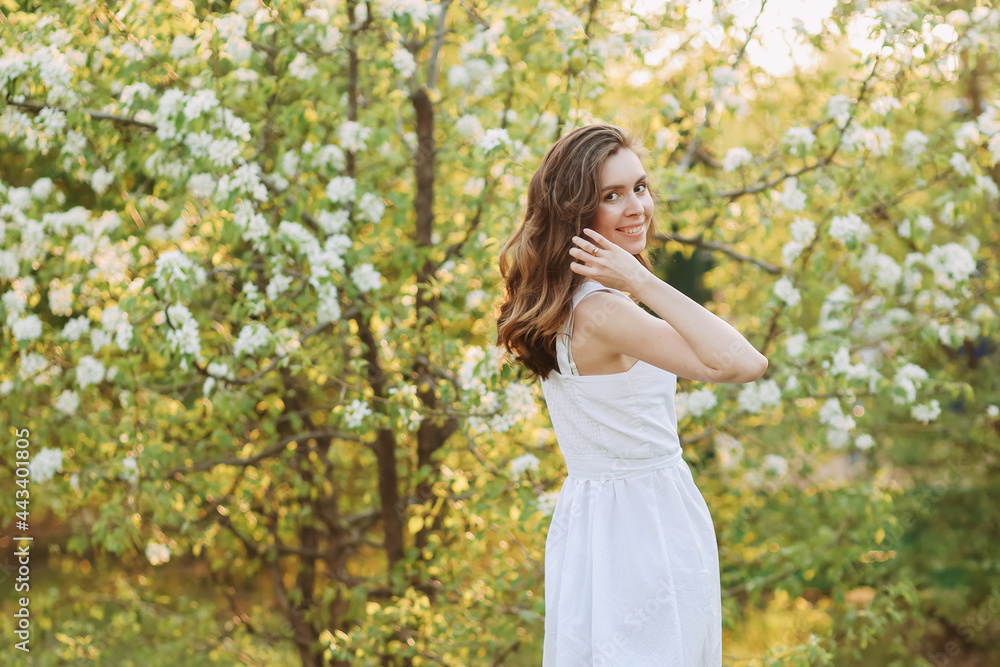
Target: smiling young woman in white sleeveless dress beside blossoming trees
x=631, y=558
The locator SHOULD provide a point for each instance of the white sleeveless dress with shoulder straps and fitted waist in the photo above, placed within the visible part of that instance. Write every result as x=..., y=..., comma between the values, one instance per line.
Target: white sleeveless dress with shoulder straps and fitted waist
x=631, y=558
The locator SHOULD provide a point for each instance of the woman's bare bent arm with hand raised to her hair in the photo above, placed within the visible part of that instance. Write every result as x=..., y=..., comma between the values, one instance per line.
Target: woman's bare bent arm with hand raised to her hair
x=689, y=341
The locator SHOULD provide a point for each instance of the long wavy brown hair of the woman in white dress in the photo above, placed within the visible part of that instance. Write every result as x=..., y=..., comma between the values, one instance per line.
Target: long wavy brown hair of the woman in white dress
x=538, y=283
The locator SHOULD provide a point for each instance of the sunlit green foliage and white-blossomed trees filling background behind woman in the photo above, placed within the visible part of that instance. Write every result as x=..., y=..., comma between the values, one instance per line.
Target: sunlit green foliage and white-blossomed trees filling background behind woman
x=248, y=275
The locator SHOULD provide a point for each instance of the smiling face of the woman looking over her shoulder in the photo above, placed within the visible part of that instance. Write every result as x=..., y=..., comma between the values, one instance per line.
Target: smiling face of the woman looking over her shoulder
x=626, y=207
